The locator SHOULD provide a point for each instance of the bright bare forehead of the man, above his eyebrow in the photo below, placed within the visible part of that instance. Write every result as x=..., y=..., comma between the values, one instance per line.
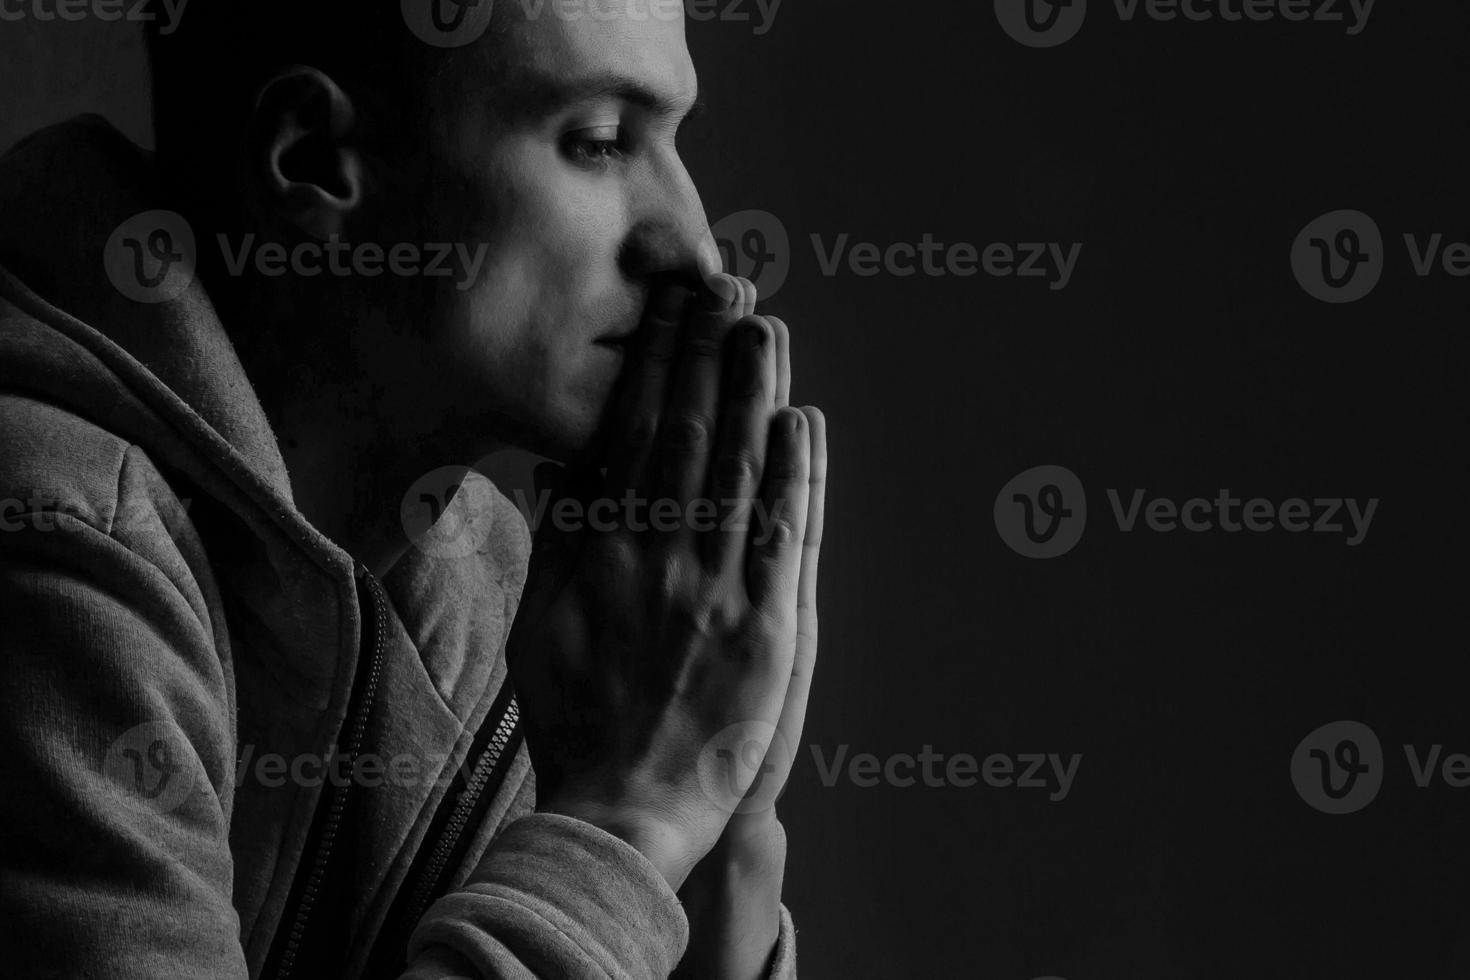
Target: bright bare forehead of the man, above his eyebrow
x=640, y=42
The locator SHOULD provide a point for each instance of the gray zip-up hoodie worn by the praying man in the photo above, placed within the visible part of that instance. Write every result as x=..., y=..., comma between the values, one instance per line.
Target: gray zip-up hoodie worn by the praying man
x=226, y=750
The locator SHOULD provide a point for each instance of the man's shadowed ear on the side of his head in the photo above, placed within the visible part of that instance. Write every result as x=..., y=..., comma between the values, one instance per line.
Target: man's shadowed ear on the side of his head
x=304, y=151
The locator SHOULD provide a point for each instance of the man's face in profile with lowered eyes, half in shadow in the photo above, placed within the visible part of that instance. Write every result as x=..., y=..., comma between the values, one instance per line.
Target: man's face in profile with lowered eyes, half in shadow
x=555, y=146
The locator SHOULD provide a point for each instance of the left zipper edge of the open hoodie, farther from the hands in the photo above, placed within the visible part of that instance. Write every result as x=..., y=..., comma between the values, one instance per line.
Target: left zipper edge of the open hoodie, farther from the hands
x=330, y=821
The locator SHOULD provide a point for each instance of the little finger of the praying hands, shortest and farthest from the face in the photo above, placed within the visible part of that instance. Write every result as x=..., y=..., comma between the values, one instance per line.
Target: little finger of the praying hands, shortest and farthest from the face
x=780, y=524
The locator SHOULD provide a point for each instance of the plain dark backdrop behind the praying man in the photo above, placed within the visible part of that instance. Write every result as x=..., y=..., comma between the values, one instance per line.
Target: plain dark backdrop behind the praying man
x=1183, y=359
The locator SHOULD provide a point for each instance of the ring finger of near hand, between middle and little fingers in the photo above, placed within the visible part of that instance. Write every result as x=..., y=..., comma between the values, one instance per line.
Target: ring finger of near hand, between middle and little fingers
x=740, y=452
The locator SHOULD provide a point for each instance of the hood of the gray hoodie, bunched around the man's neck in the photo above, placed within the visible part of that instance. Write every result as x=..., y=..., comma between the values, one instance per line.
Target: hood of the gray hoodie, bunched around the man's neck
x=167, y=378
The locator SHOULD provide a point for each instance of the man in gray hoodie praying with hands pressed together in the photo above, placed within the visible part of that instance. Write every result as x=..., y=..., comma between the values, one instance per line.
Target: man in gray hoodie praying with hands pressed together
x=257, y=715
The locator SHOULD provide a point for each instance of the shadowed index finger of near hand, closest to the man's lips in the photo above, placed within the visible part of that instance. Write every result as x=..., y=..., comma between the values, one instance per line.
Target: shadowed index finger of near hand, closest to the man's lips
x=645, y=389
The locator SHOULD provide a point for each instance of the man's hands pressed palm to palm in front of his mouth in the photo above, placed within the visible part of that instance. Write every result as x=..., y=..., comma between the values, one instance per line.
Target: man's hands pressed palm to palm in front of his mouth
x=634, y=650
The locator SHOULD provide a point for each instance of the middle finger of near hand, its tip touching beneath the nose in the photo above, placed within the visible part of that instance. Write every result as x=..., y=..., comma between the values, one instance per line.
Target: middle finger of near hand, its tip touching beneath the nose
x=686, y=431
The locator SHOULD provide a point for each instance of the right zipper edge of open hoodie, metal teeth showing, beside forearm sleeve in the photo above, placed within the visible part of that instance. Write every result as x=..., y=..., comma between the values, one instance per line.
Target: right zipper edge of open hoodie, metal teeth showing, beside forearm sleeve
x=451, y=832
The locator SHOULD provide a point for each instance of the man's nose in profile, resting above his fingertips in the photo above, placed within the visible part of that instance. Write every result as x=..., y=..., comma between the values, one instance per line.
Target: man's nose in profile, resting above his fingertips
x=670, y=239
